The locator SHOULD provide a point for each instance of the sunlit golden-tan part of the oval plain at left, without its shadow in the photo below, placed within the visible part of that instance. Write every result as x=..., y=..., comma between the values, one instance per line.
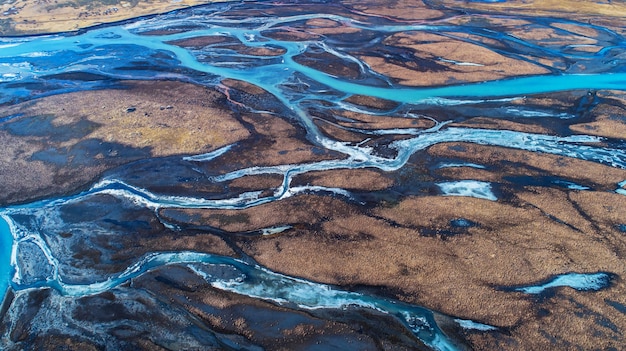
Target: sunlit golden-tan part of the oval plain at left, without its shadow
x=169, y=118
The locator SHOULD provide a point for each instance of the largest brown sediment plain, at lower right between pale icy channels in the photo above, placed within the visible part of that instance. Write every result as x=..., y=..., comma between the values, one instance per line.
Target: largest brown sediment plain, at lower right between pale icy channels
x=459, y=275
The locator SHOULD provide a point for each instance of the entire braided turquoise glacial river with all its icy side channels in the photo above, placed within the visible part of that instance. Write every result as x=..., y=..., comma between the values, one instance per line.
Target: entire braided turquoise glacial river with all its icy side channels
x=34, y=67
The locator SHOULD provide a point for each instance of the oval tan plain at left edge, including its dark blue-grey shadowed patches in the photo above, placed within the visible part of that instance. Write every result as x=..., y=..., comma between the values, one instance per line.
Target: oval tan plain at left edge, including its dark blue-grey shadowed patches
x=63, y=142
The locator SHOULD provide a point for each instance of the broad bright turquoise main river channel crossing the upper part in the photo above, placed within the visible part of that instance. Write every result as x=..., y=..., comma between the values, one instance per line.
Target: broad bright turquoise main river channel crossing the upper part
x=61, y=53
